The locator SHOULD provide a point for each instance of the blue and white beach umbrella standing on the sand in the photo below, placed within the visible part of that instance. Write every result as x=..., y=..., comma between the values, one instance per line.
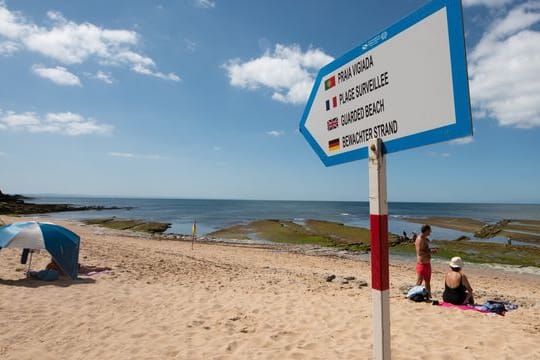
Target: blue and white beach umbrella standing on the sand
x=61, y=243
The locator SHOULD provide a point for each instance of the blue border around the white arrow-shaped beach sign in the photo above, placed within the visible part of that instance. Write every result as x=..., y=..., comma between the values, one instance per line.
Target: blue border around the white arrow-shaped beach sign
x=458, y=59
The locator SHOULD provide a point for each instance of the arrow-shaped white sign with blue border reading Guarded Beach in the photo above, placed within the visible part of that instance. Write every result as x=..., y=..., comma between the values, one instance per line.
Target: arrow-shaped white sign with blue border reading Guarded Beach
x=407, y=85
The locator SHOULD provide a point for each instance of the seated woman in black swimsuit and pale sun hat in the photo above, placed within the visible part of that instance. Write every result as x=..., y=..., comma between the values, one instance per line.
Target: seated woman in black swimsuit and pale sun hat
x=457, y=289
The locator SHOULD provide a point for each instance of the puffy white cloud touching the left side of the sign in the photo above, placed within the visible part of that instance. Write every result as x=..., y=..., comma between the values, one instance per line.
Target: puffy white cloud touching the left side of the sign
x=288, y=71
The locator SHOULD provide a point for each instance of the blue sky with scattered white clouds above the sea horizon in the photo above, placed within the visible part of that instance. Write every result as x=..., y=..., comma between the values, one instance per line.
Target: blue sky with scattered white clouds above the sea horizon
x=203, y=99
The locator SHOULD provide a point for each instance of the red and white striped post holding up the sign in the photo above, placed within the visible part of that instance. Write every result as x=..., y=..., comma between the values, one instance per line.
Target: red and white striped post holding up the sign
x=380, y=280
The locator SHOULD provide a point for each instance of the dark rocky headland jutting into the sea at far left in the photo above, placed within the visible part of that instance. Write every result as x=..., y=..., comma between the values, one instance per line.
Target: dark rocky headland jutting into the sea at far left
x=17, y=205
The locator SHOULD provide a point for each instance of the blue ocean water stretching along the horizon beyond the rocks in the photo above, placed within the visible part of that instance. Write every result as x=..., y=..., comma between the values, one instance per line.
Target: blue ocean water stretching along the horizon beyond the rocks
x=212, y=215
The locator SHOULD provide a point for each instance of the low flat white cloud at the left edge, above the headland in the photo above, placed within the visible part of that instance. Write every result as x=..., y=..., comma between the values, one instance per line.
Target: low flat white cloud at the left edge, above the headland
x=67, y=123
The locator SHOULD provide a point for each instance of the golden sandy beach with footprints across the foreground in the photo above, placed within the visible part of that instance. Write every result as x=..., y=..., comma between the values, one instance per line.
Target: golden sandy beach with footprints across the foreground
x=163, y=300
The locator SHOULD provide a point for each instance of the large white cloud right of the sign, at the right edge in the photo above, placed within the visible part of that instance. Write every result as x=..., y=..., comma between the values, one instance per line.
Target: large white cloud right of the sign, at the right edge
x=504, y=69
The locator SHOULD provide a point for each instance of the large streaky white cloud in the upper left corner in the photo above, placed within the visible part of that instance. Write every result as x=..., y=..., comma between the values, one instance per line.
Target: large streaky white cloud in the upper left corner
x=73, y=43
